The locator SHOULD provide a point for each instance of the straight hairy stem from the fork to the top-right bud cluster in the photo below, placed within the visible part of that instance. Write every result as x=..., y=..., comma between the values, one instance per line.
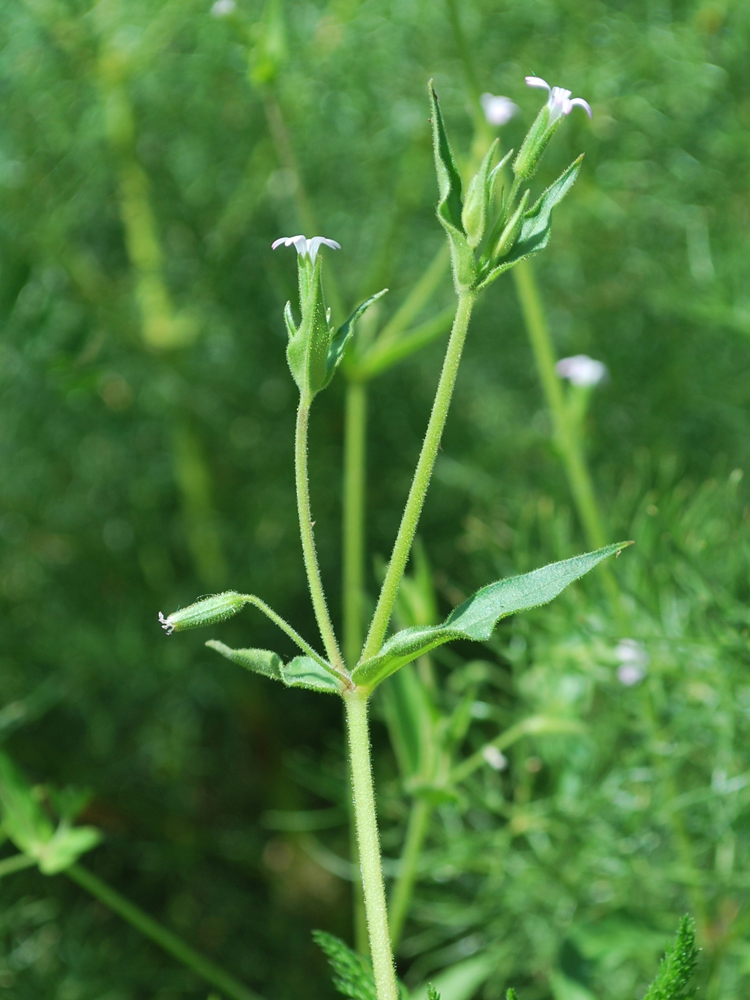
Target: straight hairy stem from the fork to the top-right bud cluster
x=422, y=475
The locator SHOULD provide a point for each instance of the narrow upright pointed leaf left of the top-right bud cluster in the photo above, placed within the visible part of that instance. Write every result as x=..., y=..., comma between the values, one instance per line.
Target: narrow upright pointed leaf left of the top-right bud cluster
x=450, y=204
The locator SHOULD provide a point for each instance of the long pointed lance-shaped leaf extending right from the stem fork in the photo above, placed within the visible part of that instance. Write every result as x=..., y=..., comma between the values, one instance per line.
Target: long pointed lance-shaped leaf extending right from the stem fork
x=477, y=617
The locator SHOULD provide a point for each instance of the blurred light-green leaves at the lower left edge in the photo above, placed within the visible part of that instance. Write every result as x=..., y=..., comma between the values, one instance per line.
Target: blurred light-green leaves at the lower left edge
x=29, y=828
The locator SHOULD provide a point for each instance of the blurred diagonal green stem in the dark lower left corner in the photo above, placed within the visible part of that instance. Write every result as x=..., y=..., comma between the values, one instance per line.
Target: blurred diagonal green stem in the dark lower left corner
x=169, y=942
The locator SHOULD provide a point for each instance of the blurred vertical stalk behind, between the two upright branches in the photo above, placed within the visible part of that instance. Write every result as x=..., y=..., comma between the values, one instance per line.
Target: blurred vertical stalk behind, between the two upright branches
x=355, y=444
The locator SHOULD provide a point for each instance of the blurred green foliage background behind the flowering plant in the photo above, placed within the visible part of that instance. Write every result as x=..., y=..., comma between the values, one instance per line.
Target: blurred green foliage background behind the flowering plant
x=149, y=154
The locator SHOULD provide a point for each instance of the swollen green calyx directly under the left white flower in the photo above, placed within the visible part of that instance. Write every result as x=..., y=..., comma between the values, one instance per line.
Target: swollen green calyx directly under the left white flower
x=307, y=350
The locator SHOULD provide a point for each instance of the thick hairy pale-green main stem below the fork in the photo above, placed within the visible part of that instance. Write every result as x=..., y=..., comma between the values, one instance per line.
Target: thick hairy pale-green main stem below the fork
x=369, y=846
